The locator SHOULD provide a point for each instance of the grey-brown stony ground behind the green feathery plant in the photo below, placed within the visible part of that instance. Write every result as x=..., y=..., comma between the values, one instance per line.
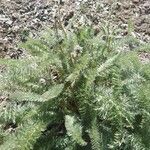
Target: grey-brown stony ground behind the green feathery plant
x=20, y=18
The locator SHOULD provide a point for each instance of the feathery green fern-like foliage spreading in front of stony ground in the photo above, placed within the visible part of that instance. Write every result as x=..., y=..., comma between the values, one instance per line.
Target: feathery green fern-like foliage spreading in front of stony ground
x=75, y=92
